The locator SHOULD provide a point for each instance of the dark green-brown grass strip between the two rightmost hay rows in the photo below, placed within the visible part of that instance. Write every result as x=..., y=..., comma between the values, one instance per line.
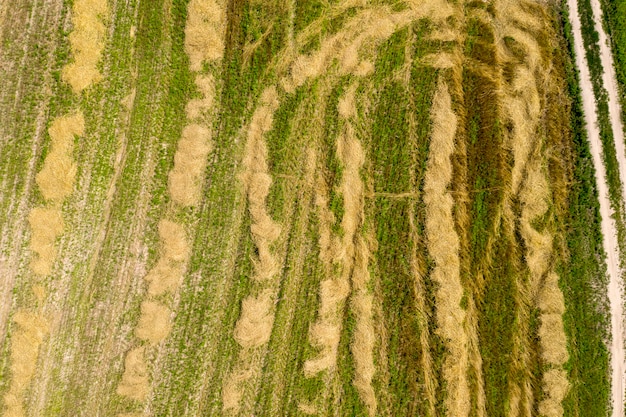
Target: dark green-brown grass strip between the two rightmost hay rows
x=484, y=171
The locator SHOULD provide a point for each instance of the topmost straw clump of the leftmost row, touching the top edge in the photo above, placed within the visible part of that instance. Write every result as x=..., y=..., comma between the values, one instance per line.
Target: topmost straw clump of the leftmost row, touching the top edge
x=87, y=42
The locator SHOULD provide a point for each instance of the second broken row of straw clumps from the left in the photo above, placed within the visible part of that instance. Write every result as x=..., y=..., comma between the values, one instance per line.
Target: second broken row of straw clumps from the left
x=204, y=42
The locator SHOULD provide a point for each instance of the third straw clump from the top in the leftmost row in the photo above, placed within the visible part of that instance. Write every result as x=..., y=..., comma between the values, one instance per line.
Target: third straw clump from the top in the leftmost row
x=45, y=225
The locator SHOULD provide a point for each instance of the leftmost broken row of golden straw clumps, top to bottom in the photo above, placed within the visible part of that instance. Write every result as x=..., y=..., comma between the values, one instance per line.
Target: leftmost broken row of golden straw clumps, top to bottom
x=56, y=183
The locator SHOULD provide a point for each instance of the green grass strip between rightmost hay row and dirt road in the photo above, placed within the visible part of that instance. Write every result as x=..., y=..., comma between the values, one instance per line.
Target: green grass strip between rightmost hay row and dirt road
x=583, y=275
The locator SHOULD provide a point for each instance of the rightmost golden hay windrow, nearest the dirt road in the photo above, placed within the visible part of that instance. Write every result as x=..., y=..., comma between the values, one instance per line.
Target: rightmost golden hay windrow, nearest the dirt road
x=521, y=105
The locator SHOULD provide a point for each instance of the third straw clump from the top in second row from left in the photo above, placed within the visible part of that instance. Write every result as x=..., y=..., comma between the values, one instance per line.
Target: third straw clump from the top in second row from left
x=190, y=160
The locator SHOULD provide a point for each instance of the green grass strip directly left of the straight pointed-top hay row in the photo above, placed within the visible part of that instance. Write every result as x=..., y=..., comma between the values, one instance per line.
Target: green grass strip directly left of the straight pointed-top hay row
x=398, y=150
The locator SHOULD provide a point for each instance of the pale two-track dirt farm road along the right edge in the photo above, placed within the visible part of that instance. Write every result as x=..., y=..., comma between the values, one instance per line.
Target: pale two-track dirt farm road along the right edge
x=615, y=289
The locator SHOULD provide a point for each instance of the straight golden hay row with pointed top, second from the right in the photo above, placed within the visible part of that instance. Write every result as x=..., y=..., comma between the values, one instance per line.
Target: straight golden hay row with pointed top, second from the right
x=443, y=246
